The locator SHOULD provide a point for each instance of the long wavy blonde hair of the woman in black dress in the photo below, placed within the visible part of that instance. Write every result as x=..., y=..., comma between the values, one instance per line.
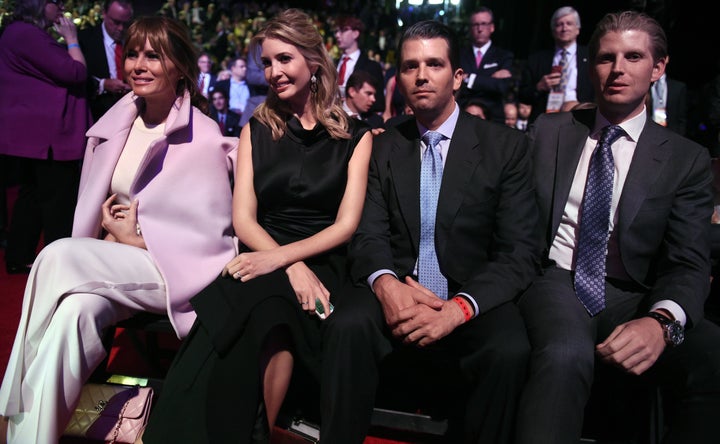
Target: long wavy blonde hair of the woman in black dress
x=294, y=27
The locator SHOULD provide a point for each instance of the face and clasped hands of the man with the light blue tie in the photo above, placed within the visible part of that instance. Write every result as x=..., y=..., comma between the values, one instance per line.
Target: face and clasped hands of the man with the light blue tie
x=428, y=82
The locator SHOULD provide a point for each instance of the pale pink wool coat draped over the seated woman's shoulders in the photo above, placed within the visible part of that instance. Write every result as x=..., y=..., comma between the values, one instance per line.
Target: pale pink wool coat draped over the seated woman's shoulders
x=184, y=193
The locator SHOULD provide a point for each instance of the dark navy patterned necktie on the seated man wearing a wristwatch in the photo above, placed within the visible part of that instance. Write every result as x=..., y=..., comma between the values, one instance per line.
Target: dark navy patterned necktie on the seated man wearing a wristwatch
x=595, y=224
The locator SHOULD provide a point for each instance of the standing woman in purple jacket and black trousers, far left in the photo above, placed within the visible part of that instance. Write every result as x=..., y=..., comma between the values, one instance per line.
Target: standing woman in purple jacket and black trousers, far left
x=43, y=118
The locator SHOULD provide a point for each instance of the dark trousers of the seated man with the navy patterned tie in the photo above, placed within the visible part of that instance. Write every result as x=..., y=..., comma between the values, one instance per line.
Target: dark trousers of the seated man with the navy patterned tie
x=562, y=366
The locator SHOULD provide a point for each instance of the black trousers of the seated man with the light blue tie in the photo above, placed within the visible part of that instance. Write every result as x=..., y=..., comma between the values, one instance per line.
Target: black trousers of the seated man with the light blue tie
x=491, y=351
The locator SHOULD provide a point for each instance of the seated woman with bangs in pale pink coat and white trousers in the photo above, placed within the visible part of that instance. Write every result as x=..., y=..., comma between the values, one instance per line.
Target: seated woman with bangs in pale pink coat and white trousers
x=152, y=228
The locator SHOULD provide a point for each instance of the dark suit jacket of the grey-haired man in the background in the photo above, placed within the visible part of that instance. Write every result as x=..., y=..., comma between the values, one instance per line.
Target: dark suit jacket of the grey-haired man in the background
x=539, y=64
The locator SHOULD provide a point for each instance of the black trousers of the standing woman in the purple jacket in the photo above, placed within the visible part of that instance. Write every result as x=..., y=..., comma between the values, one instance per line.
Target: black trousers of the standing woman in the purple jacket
x=45, y=205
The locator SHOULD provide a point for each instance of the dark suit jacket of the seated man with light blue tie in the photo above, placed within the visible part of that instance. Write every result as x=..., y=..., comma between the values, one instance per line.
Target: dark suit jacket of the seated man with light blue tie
x=486, y=214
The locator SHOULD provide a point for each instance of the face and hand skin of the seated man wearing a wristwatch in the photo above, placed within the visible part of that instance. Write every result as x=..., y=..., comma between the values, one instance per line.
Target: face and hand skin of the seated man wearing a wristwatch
x=622, y=74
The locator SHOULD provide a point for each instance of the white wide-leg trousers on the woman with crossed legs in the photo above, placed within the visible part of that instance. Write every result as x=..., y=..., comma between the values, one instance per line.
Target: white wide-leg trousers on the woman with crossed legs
x=76, y=288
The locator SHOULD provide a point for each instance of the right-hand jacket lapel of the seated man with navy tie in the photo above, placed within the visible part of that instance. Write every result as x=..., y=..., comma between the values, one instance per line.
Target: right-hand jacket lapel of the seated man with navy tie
x=648, y=161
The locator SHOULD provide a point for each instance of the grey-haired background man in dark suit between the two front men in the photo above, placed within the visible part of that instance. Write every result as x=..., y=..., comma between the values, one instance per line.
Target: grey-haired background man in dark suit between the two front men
x=539, y=80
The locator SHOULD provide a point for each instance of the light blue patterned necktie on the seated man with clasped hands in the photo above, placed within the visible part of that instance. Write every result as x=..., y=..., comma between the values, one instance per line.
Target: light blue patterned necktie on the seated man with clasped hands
x=429, y=273
